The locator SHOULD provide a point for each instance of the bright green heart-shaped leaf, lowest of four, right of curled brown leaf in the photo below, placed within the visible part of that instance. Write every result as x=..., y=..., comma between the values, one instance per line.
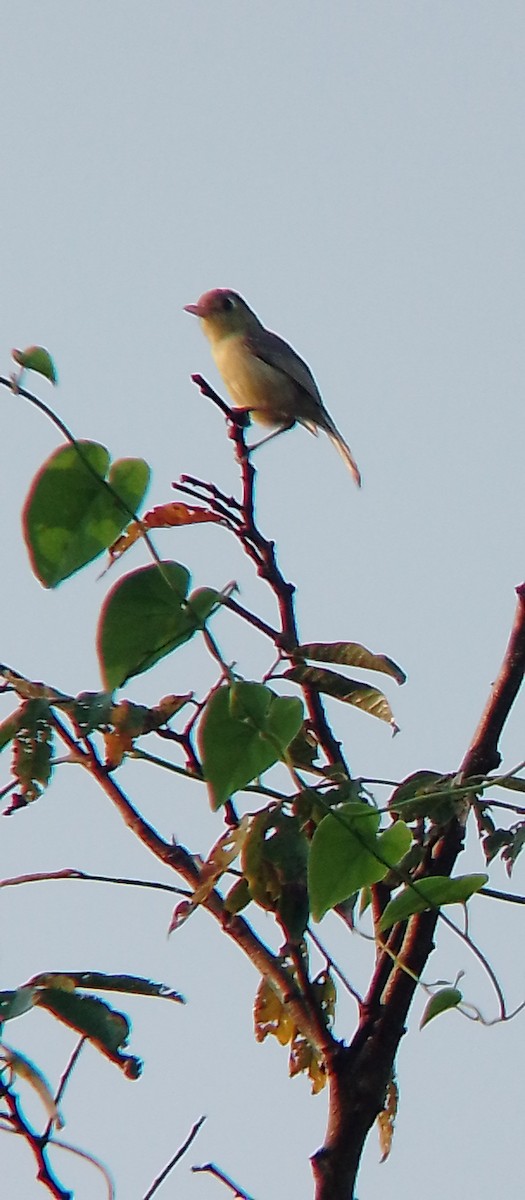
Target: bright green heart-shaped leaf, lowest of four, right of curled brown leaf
x=347, y=855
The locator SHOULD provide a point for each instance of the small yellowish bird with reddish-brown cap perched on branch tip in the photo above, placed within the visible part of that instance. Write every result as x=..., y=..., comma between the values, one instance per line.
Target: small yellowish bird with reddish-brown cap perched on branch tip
x=263, y=375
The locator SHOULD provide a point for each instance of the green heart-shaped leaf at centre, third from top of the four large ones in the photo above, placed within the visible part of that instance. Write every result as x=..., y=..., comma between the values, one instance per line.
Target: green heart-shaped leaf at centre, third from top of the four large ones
x=244, y=731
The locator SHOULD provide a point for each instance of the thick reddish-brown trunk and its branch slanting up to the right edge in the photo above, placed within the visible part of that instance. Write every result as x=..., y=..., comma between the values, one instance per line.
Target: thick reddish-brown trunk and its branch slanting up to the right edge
x=360, y=1073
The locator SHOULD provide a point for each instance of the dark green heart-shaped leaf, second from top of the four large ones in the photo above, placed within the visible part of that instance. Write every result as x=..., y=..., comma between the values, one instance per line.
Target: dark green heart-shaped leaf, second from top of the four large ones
x=146, y=616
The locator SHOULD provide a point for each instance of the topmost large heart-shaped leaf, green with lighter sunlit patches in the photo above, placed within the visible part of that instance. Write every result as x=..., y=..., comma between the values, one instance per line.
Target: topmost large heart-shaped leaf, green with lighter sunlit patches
x=71, y=517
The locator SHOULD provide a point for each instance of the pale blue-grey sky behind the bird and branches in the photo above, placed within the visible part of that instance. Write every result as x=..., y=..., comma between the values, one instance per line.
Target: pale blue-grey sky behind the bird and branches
x=358, y=172
